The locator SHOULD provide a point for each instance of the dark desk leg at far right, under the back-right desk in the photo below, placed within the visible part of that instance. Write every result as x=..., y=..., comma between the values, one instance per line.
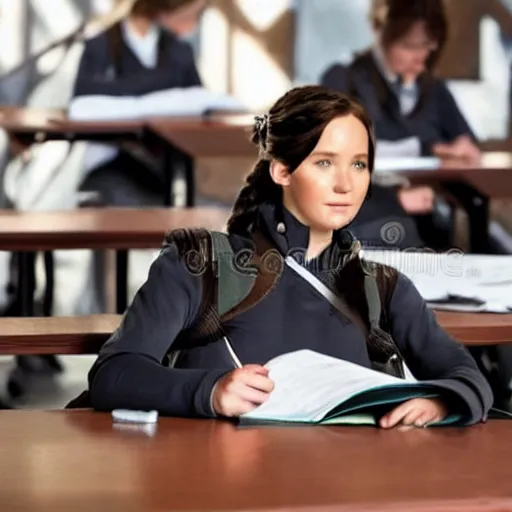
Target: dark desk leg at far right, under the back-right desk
x=477, y=208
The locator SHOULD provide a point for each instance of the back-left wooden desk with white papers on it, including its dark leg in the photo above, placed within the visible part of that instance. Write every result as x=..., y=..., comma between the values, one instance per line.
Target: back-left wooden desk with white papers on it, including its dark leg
x=180, y=140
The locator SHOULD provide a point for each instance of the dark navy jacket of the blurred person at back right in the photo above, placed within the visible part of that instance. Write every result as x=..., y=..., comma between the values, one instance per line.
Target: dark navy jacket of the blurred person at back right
x=436, y=117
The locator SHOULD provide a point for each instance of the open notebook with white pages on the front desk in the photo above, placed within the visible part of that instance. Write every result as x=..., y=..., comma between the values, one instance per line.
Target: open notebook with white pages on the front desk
x=313, y=388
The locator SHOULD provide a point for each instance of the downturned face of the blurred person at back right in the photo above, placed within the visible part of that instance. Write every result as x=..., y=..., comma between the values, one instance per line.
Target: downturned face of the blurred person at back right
x=408, y=55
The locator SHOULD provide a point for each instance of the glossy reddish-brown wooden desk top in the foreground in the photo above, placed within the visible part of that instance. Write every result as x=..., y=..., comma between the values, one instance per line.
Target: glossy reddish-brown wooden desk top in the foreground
x=78, y=461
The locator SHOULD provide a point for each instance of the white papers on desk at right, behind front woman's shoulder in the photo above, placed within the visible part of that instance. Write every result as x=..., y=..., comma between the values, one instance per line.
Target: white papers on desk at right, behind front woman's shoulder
x=455, y=281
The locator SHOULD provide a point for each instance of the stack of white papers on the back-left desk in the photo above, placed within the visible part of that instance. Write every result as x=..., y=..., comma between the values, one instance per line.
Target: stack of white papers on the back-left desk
x=192, y=101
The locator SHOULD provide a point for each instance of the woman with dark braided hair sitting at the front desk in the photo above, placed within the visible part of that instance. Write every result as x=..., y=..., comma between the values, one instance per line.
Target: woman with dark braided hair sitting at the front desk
x=316, y=159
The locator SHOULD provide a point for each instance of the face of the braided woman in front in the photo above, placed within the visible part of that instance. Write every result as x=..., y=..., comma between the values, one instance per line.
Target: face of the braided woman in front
x=328, y=188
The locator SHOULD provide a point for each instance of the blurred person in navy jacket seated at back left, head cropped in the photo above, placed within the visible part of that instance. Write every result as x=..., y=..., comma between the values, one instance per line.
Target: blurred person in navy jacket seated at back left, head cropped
x=143, y=53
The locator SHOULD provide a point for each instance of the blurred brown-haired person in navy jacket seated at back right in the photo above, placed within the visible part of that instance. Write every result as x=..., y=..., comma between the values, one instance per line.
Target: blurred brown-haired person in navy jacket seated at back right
x=414, y=113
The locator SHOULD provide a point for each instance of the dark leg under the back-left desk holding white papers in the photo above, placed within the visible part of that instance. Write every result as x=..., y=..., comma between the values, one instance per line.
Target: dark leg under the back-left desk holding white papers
x=178, y=167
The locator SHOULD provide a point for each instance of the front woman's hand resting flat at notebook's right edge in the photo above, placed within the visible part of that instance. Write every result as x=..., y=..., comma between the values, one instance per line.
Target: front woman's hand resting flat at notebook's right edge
x=418, y=412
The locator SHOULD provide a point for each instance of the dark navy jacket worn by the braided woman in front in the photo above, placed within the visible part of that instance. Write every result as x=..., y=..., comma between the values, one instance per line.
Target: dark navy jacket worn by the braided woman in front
x=129, y=372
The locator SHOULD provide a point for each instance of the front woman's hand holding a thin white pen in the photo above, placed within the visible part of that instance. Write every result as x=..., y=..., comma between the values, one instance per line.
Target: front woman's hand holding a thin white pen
x=241, y=390
